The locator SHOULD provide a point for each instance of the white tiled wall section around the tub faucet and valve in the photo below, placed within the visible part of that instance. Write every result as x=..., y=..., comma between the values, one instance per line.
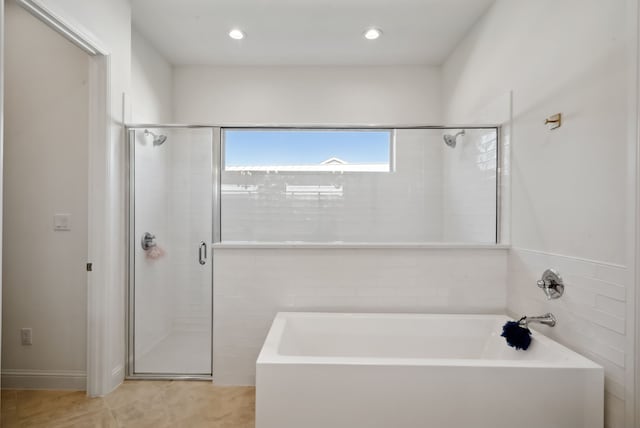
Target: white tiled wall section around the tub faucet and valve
x=591, y=314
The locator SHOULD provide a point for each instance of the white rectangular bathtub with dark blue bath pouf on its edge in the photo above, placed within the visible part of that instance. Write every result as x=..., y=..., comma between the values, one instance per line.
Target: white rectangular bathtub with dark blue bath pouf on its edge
x=321, y=370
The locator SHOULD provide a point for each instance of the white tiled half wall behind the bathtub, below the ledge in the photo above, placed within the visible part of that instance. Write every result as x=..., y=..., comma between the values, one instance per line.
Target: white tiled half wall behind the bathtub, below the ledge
x=252, y=285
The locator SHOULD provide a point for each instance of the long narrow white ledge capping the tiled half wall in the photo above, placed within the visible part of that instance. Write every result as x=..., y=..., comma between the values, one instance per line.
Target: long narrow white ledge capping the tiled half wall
x=354, y=245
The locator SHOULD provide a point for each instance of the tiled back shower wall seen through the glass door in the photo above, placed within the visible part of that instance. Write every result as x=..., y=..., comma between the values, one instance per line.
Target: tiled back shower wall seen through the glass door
x=189, y=220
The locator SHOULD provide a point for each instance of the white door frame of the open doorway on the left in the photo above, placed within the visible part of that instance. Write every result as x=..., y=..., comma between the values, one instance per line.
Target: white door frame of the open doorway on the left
x=100, y=379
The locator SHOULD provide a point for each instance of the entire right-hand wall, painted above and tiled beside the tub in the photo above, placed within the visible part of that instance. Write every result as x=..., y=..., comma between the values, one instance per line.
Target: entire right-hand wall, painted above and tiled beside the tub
x=569, y=186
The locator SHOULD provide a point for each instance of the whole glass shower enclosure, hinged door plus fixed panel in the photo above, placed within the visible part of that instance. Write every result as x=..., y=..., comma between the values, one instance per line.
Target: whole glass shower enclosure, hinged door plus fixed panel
x=192, y=186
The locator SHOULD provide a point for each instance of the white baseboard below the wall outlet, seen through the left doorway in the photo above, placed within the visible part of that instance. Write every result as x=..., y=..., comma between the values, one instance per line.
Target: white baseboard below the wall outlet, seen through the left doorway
x=44, y=379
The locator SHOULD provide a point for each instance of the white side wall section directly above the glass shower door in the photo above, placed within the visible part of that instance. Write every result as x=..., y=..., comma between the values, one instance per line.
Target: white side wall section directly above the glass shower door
x=151, y=83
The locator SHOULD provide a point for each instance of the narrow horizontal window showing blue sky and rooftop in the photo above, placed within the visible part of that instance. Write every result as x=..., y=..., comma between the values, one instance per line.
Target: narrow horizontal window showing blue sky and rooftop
x=308, y=150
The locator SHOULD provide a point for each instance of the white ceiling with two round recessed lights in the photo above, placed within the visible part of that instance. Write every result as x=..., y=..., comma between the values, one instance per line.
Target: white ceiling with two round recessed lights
x=306, y=32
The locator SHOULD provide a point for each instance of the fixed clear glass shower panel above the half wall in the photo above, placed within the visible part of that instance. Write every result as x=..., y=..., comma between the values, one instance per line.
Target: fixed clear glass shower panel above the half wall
x=407, y=185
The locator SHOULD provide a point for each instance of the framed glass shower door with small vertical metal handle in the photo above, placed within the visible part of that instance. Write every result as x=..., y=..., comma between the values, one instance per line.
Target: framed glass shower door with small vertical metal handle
x=171, y=230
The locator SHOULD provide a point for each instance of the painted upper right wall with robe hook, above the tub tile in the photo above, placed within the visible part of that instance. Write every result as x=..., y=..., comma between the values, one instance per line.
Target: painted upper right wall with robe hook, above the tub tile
x=582, y=84
